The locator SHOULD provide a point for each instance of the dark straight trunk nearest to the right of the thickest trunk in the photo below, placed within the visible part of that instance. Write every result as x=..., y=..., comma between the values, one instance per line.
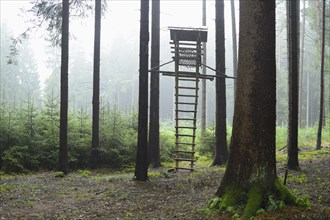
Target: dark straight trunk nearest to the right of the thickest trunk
x=293, y=62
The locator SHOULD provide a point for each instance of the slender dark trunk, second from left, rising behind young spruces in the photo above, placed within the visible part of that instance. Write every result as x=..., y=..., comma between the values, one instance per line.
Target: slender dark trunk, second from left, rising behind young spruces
x=96, y=87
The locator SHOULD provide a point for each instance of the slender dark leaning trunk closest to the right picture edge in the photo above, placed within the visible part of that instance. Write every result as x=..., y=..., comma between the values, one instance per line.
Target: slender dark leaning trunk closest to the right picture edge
x=321, y=114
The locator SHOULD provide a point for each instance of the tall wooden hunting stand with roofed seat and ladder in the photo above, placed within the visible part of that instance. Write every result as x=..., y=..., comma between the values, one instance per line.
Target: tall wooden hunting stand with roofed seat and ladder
x=186, y=45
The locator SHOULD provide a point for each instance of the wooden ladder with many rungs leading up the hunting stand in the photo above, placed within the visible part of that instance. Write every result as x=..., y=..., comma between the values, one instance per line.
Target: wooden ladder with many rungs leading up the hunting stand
x=186, y=56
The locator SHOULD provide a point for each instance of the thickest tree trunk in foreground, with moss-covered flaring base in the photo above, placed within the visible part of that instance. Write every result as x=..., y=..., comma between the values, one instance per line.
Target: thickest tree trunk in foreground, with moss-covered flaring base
x=250, y=177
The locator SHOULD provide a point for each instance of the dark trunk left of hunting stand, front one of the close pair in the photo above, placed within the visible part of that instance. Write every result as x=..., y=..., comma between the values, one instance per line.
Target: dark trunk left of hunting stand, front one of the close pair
x=141, y=165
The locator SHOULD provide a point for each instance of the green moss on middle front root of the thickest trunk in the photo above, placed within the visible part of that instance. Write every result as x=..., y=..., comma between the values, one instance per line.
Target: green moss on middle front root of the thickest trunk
x=254, y=200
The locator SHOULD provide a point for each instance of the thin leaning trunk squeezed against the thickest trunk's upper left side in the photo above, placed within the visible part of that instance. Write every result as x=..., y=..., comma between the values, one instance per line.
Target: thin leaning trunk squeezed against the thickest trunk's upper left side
x=233, y=27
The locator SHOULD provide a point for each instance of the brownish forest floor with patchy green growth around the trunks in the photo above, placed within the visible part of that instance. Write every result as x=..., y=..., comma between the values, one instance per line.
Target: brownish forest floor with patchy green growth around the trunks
x=115, y=195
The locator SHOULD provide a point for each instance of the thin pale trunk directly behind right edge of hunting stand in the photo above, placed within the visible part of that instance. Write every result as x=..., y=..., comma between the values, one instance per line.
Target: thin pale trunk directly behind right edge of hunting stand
x=203, y=121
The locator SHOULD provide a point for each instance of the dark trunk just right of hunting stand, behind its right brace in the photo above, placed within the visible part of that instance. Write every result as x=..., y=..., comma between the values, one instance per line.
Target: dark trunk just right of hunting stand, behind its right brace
x=221, y=151
